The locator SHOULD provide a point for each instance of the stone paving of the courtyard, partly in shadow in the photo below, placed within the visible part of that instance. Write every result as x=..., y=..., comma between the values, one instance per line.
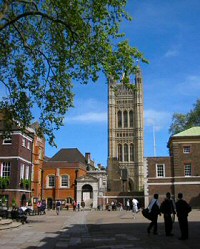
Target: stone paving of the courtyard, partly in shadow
x=98, y=230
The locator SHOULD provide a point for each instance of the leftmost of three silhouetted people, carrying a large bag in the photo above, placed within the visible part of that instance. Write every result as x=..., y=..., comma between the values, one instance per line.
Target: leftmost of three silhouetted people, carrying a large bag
x=154, y=209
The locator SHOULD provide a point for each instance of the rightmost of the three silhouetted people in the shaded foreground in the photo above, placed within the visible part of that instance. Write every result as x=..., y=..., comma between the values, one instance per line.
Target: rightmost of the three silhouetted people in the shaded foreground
x=182, y=209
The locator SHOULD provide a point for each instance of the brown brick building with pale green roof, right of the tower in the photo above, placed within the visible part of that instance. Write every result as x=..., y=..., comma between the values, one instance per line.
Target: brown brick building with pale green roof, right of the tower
x=180, y=172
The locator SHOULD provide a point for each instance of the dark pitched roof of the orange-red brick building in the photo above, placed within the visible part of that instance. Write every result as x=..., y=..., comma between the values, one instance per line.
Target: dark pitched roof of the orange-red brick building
x=68, y=155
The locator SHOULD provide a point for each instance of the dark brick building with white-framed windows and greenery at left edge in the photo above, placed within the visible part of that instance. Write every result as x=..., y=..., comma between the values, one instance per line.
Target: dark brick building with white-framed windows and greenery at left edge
x=15, y=165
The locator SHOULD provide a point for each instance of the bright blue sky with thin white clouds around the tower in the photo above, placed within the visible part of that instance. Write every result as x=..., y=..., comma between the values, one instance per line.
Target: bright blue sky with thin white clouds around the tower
x=168, y=33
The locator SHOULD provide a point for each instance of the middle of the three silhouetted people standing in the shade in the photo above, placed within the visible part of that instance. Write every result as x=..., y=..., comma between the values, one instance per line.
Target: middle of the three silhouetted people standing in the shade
x=168, y=209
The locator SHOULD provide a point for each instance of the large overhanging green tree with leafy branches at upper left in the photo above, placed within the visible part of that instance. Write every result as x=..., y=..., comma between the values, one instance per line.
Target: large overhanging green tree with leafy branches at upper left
x=46, y=46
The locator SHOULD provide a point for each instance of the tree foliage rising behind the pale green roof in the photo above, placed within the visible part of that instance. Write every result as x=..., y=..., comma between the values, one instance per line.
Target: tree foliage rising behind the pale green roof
x=181, y=122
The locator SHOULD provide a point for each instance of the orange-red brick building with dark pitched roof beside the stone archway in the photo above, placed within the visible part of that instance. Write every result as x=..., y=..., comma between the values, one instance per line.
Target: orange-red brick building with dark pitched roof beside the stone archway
x=60, y=174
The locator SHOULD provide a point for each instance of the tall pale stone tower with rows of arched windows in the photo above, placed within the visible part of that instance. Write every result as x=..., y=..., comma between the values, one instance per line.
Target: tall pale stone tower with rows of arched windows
x=126, y=136
